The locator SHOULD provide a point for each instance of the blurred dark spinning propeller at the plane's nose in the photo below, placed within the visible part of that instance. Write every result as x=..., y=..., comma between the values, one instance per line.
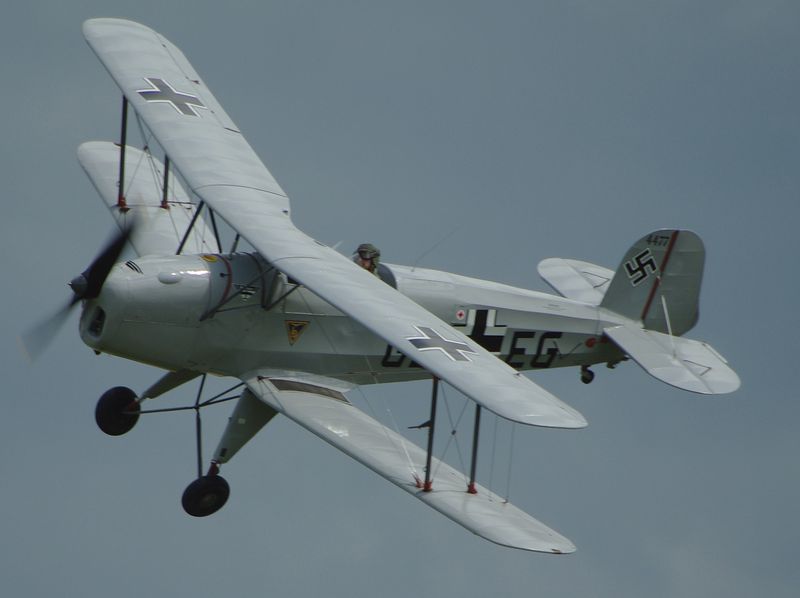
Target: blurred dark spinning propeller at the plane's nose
x=86, y=285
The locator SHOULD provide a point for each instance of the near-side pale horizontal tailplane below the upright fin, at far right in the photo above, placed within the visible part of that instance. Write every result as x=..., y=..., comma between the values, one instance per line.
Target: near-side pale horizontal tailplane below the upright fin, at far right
x=685, y=363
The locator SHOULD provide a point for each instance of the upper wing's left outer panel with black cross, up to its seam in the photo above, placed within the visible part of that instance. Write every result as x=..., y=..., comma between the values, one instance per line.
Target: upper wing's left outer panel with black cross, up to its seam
x=176, y=105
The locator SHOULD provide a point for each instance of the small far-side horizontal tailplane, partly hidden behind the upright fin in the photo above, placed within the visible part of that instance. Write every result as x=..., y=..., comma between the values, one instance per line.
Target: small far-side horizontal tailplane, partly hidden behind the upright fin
x=575, y=279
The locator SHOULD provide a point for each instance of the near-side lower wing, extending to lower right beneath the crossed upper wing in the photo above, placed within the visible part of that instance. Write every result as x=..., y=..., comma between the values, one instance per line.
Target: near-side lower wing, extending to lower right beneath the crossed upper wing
x=329, y=416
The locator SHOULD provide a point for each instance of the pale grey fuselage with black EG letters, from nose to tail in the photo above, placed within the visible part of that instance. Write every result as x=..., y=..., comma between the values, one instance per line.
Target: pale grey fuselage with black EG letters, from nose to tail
x=231, y=314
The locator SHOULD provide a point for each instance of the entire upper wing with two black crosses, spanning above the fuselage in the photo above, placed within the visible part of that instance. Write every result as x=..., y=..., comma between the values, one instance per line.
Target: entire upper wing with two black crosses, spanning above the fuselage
x=223, y=170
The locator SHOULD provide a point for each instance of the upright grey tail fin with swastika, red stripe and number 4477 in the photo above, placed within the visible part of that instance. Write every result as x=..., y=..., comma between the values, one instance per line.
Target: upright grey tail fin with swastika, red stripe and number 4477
x=658, y=281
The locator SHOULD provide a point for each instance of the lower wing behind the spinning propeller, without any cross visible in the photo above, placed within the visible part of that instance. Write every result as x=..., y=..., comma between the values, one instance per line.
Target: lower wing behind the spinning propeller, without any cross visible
x=159, y=231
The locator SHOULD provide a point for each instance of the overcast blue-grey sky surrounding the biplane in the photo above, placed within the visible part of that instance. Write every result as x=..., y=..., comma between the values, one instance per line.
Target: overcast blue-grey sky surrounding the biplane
x=532, y=130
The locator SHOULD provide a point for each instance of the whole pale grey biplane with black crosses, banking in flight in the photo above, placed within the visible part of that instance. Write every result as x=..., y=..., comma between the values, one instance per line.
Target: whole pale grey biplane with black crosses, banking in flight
x=300, y=325
